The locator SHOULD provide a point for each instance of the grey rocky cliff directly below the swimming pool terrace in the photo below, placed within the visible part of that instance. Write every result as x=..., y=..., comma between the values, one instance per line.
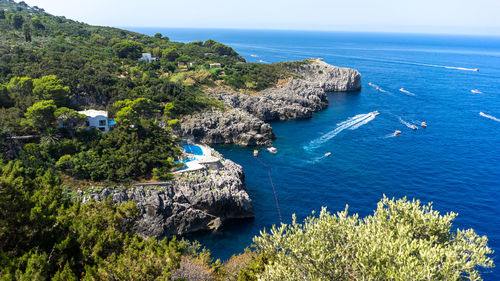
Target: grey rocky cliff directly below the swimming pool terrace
x=194, y=201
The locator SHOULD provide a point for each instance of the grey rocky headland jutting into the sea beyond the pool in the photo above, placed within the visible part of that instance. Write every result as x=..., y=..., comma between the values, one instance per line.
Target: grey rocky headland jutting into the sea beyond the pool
x=245, y=121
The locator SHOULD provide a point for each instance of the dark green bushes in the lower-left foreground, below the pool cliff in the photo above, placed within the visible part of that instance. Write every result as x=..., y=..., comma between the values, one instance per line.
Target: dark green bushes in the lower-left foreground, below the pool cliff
x=44, y=235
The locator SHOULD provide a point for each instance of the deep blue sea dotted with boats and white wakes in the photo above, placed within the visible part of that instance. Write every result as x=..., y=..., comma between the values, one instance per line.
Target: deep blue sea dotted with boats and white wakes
x=455, y=162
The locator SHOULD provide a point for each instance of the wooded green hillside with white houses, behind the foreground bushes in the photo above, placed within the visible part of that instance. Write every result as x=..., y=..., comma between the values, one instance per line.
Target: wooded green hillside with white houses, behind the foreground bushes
x=52, y=66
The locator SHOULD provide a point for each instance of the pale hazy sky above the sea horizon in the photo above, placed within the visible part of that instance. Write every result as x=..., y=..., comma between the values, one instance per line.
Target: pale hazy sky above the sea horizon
x=479, y=17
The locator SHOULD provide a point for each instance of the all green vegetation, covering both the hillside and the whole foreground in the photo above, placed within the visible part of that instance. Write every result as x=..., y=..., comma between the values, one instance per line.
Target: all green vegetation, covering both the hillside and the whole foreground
x=52, y=67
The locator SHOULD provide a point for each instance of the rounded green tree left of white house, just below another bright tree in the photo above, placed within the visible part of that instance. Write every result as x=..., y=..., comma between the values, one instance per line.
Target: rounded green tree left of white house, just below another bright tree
x=41, y=115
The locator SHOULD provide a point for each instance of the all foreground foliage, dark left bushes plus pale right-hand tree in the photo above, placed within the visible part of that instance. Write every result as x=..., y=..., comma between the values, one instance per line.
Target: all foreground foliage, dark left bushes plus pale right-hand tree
x=46, y=235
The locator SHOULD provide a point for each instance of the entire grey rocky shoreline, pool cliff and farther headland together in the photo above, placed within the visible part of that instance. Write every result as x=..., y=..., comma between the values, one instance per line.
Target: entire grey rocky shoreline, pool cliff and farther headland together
x=203, y=200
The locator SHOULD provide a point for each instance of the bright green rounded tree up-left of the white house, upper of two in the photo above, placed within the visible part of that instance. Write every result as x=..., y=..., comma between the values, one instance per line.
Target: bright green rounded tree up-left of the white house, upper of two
x=50, y=88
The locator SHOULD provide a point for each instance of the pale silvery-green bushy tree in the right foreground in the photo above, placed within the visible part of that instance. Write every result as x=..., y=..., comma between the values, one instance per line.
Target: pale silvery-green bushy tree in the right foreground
x=402, y=240
